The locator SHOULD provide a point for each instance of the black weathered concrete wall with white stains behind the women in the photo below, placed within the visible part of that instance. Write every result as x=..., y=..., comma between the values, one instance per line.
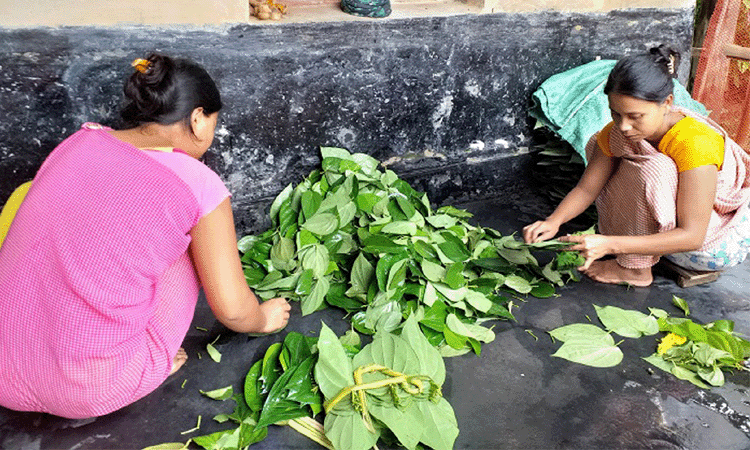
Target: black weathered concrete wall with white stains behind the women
x=443, y=99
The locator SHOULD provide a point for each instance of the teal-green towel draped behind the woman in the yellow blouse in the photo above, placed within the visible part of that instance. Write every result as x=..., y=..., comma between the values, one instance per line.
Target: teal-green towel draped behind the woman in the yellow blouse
x=573, y=103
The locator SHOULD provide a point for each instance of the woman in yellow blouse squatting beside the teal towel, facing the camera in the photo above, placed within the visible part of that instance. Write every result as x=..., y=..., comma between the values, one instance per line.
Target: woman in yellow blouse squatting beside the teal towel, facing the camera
x=666, y=181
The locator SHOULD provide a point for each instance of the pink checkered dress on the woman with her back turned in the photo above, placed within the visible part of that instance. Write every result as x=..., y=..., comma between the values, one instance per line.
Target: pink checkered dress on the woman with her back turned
x=97, y=289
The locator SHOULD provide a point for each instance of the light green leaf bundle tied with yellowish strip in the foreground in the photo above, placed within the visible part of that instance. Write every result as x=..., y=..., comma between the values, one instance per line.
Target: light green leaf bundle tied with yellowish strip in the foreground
x=403, y=375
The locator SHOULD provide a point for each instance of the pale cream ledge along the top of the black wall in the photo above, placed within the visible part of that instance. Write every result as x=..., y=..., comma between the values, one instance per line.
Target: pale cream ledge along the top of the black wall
x=53, y=13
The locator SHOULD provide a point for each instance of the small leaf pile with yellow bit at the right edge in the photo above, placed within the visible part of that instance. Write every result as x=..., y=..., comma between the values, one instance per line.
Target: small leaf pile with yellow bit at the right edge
x=708, y=350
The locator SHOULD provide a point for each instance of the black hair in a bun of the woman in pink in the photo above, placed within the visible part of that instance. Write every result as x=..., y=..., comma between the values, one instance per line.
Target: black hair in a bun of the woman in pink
x=166, y=91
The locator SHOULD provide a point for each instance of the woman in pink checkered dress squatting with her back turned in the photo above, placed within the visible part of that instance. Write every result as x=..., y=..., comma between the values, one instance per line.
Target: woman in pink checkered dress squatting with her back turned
x=102, y=264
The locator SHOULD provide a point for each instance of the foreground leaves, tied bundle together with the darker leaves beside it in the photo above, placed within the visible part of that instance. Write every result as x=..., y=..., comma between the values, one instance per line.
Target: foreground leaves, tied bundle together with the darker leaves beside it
x=389, y=390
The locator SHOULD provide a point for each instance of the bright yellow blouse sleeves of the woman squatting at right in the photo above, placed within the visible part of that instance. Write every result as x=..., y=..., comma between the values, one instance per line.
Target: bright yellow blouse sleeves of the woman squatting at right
x=690, y=143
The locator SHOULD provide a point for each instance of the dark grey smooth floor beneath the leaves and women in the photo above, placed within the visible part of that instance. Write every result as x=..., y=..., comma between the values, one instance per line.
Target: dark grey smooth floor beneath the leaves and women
x=515, y=396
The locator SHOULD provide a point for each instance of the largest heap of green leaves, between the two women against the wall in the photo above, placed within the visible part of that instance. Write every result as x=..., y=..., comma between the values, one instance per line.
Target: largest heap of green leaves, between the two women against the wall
x=354, y=237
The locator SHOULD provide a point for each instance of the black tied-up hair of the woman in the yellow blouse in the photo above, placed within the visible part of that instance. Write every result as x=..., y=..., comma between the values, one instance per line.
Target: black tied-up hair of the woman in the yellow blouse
x=647, y=76
